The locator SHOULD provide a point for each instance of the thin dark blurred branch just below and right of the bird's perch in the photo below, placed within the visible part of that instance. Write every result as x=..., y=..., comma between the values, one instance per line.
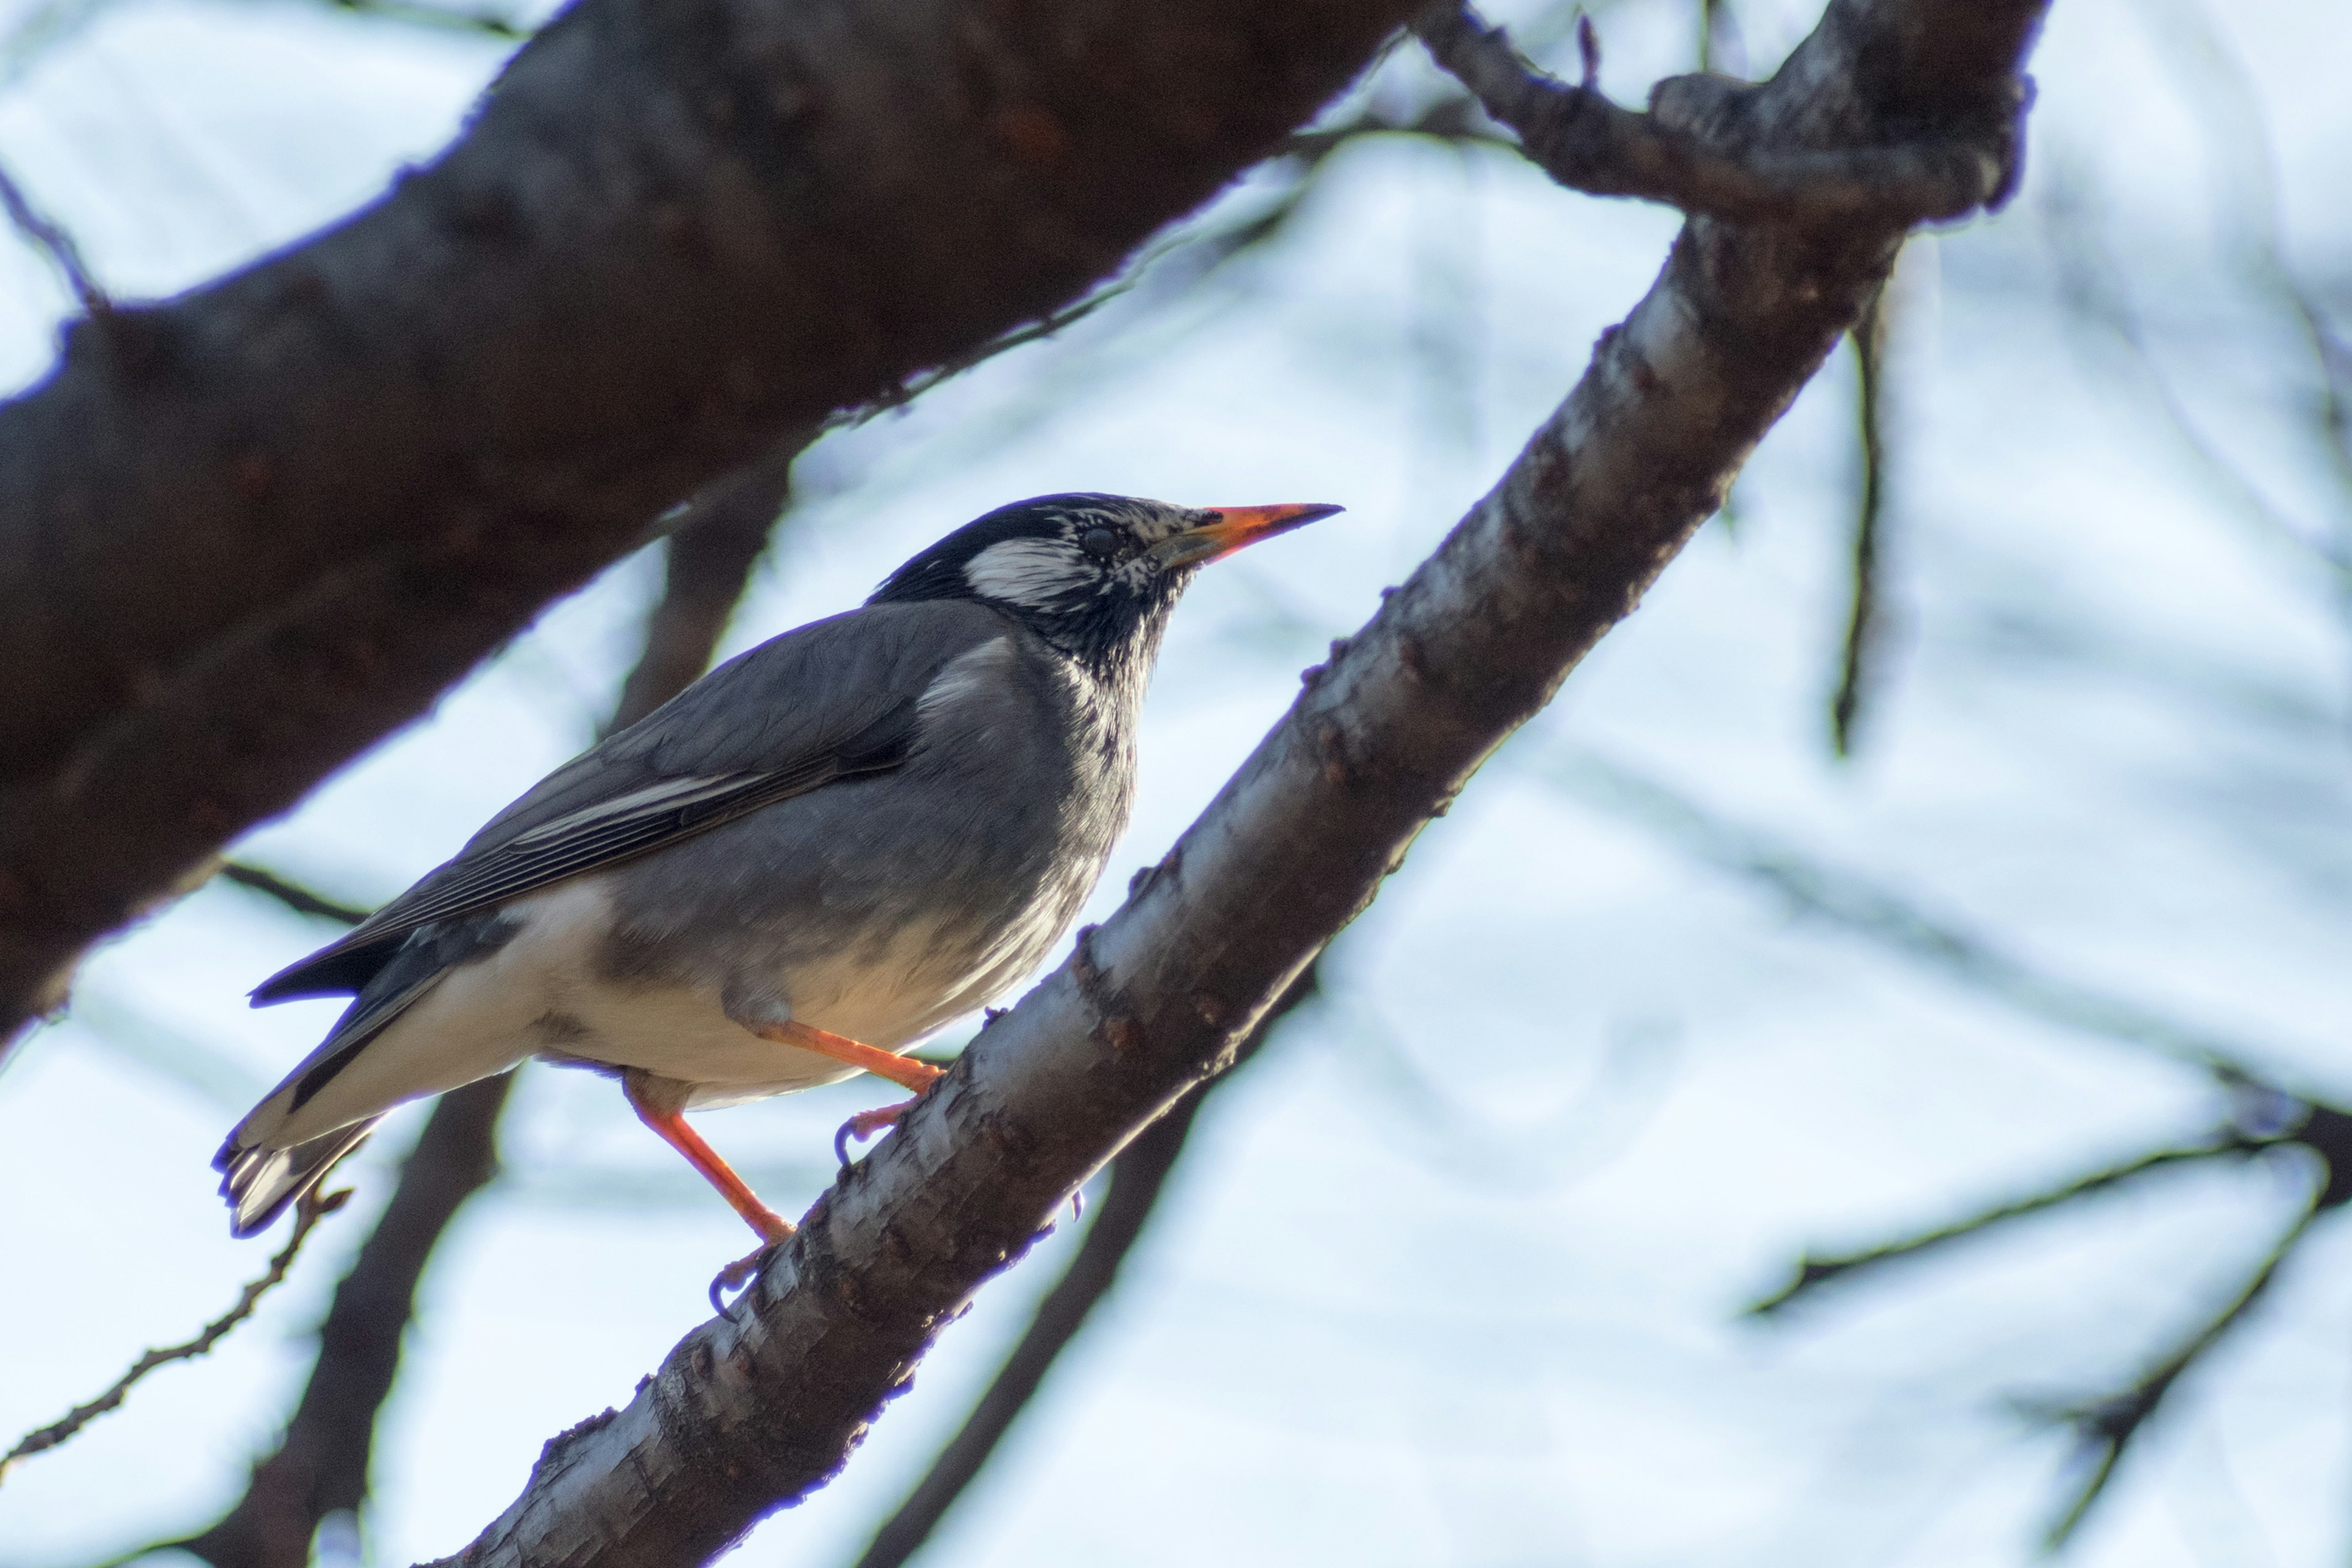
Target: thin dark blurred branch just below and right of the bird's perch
x=1137, y=1179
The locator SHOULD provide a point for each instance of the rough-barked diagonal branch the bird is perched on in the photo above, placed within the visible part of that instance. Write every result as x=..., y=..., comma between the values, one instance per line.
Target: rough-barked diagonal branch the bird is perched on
x=763, y=1405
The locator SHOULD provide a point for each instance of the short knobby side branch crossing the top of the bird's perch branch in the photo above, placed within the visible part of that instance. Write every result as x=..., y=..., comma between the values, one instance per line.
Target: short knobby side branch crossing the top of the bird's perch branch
x=1692, y=149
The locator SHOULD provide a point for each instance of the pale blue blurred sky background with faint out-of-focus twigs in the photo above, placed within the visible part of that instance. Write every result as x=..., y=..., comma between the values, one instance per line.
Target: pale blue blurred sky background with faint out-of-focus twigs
x=1958, y=840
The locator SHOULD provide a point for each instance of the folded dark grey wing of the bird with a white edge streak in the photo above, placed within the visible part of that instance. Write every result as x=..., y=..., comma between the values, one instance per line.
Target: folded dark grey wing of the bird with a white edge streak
x=829, y=702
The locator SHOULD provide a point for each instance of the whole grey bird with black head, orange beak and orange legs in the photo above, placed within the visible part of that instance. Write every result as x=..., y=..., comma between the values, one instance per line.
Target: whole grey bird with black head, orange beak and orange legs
x=794, y=871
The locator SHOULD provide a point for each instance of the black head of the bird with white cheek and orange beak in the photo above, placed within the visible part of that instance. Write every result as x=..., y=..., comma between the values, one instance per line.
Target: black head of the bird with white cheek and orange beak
x=1093, y=575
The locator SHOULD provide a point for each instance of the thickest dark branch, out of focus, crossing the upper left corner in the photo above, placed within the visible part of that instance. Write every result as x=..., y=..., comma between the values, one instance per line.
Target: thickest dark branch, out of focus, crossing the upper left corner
x=258, y=528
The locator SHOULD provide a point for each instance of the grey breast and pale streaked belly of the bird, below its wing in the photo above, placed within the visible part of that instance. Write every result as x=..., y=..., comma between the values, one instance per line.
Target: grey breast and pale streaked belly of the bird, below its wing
x=897, y=902
